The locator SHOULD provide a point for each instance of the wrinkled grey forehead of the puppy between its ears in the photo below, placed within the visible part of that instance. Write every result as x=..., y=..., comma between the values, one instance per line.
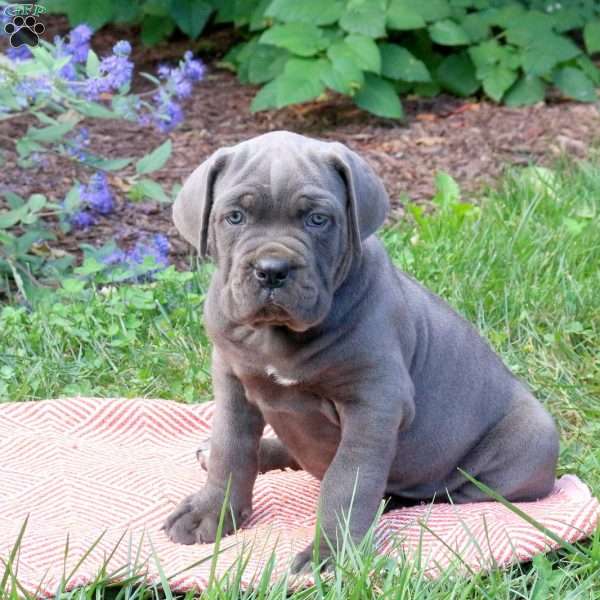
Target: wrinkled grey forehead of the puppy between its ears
x=281, y=168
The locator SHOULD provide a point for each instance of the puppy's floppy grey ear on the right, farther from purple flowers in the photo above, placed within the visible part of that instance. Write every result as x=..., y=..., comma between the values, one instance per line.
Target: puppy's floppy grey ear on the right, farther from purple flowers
x=368, y=202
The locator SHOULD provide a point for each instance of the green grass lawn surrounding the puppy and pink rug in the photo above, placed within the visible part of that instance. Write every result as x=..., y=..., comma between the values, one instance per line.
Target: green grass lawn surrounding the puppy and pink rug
x=523, y=266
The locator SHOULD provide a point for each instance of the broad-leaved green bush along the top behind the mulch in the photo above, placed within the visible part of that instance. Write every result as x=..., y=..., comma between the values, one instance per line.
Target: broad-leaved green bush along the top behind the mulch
x=376, y=51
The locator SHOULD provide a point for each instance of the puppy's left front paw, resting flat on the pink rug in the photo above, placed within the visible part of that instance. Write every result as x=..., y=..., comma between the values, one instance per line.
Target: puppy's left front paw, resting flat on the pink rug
x=196, y=519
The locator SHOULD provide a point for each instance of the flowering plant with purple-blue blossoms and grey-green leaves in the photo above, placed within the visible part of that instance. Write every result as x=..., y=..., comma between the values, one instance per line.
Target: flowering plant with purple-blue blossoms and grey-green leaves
x=59, y=85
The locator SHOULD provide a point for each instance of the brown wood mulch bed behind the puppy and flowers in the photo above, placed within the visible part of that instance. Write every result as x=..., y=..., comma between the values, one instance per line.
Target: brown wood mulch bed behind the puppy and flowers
x=473, y=141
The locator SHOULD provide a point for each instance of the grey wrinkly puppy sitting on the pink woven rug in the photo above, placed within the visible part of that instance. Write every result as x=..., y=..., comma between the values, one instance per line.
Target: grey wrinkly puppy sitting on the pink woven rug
x=372, y=383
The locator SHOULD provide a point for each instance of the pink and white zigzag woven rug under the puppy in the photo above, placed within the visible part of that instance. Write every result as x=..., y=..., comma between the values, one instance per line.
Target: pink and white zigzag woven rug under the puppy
x=82, y=467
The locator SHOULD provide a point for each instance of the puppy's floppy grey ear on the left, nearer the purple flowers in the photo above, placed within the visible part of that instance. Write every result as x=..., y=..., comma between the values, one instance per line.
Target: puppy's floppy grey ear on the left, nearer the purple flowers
x=191, y=209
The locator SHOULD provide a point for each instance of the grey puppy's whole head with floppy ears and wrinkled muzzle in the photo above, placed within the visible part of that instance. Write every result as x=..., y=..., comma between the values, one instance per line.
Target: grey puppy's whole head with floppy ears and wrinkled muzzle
x=284, y=217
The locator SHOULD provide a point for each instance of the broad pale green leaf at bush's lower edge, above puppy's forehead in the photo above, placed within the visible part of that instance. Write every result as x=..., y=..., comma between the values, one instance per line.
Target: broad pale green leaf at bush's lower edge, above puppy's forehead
x=300, y=81
